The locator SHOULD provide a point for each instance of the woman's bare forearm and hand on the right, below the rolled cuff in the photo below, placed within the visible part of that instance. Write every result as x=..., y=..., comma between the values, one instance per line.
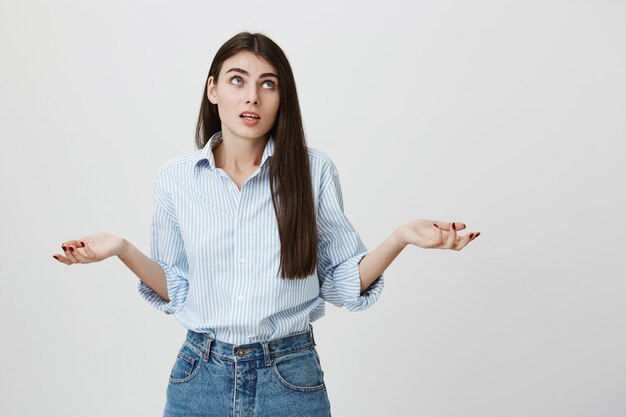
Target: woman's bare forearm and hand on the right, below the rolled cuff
x=427, y=234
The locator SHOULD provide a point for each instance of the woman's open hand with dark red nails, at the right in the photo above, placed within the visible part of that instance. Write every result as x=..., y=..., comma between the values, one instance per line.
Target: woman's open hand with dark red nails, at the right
x=434, y=234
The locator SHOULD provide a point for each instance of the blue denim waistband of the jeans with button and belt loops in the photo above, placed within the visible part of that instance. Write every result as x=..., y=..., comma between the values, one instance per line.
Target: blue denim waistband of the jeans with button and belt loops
x=266, y=350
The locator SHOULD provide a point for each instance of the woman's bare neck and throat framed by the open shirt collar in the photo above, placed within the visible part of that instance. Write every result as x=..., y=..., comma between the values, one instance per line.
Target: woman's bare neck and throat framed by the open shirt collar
x=237, y=154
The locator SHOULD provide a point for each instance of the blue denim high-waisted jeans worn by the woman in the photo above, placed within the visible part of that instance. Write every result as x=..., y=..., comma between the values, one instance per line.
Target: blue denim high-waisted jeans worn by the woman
x=280, y=377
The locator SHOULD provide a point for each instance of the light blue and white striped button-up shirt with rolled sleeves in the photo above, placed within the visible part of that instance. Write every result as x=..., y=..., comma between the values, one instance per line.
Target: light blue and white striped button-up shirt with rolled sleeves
x=220, y=249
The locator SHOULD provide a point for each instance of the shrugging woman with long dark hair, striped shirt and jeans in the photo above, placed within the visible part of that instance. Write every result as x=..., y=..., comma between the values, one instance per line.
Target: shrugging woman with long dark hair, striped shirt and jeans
x=248, y=242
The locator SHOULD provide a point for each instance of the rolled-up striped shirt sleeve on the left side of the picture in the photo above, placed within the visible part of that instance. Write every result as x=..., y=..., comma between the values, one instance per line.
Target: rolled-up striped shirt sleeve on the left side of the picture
x=167, y=249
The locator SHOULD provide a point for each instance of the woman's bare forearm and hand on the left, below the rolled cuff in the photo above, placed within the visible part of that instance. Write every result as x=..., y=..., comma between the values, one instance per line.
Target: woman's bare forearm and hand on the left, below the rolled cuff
x=95, y=248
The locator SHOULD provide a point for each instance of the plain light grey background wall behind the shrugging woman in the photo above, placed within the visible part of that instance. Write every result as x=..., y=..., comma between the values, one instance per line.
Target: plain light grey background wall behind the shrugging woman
x=507, y=116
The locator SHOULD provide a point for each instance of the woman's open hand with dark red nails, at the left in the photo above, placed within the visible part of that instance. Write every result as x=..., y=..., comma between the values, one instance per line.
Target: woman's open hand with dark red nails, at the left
x=92, y=248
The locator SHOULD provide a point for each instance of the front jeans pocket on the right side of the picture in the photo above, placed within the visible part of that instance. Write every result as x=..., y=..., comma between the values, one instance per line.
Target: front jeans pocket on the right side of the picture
x=299, y=371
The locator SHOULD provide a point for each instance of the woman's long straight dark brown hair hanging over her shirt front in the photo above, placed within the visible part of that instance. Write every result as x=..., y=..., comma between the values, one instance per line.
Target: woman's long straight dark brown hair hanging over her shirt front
x=290, y=178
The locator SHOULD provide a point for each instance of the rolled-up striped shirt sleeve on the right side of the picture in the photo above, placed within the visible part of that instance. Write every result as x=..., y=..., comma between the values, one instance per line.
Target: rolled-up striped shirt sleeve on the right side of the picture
x=340, y=251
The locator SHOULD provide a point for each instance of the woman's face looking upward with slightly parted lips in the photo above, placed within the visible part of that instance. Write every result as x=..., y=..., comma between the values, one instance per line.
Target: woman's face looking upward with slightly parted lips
x=246, y=83
